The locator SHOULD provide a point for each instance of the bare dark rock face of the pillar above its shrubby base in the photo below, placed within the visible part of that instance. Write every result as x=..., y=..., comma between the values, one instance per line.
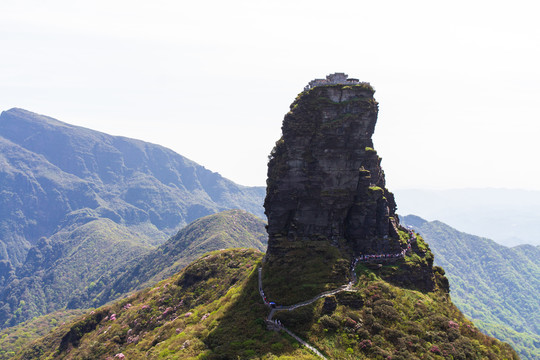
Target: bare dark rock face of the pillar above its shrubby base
x=325, y=181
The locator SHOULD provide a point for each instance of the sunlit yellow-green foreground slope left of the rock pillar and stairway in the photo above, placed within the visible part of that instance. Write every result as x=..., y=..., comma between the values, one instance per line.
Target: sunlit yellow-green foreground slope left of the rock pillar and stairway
x=167, y=321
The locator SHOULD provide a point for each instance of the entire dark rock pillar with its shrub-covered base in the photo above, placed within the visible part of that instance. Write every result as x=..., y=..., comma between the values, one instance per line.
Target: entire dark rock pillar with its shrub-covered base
x=327, y=201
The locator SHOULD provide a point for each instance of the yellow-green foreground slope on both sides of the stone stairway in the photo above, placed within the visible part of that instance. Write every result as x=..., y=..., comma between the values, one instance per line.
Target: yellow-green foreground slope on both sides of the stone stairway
x=212, y=310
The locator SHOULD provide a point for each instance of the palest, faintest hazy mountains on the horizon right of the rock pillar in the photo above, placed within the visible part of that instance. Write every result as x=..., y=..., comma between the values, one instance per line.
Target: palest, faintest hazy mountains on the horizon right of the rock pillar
x=508, y=216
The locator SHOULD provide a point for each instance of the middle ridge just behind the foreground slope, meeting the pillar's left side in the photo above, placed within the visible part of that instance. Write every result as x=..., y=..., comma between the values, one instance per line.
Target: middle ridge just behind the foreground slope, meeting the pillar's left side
x=227, y=229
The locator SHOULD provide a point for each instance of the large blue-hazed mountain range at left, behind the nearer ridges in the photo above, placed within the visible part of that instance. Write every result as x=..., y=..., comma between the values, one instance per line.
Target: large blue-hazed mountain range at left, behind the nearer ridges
x=76, y=204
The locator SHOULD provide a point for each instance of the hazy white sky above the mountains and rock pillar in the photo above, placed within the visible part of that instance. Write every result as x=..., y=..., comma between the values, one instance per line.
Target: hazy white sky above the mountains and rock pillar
x=458, y=82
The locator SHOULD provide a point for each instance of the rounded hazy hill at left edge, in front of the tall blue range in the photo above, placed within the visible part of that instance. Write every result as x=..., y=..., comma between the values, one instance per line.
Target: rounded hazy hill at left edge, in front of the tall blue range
x=84, y=256
